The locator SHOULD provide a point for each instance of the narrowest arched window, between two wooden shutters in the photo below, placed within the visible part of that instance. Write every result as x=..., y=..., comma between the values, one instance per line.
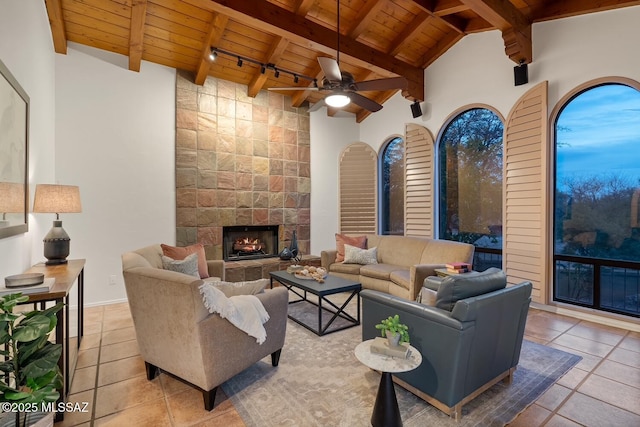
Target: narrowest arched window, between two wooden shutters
x=391, y=202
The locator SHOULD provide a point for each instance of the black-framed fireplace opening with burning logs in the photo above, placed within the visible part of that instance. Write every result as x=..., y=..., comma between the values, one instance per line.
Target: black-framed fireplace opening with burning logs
x=240, y=242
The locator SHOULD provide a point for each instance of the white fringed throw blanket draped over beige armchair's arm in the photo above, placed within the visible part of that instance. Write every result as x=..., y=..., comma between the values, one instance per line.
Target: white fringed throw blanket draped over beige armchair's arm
x=245, y=312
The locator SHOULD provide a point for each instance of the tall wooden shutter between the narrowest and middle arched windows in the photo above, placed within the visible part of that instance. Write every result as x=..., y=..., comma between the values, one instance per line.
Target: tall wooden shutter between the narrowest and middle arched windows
x=418, y=185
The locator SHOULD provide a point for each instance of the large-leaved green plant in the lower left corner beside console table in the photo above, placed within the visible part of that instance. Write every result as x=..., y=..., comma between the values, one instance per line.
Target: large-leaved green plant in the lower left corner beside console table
x=31, y=375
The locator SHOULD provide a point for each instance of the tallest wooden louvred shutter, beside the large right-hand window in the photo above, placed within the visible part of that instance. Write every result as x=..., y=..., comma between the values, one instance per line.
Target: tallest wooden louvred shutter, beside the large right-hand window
x=526, y=217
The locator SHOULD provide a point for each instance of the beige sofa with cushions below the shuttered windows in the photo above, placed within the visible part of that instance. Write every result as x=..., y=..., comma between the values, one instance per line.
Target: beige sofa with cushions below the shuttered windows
x=403, y=263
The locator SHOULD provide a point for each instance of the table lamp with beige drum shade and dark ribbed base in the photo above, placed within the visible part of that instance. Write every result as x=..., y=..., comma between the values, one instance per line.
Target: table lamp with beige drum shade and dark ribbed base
x=57, y=199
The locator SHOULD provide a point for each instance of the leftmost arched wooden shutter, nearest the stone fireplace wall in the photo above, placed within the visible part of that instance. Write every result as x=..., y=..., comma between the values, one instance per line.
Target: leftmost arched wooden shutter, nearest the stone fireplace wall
x=358, y=189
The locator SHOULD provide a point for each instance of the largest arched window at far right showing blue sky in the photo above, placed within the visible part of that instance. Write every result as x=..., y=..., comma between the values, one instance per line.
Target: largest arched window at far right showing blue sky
x=597, y=182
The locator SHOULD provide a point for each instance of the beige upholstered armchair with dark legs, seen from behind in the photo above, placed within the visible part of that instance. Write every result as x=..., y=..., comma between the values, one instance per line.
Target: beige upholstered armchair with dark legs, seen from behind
x=178, y=335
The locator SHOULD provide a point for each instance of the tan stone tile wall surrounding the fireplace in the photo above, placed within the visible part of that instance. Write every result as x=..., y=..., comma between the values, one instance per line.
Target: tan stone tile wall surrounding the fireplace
x=239, y=161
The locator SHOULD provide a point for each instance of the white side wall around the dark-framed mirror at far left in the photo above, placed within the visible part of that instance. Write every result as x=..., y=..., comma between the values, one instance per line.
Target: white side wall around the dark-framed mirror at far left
x=27, y=51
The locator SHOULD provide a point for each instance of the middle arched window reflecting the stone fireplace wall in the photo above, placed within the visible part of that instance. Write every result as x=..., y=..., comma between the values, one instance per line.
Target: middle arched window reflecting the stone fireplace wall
x=470, y=184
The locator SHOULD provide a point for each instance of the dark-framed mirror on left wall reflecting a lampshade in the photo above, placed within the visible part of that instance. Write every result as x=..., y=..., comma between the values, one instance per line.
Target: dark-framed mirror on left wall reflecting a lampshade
x=14, y=155
